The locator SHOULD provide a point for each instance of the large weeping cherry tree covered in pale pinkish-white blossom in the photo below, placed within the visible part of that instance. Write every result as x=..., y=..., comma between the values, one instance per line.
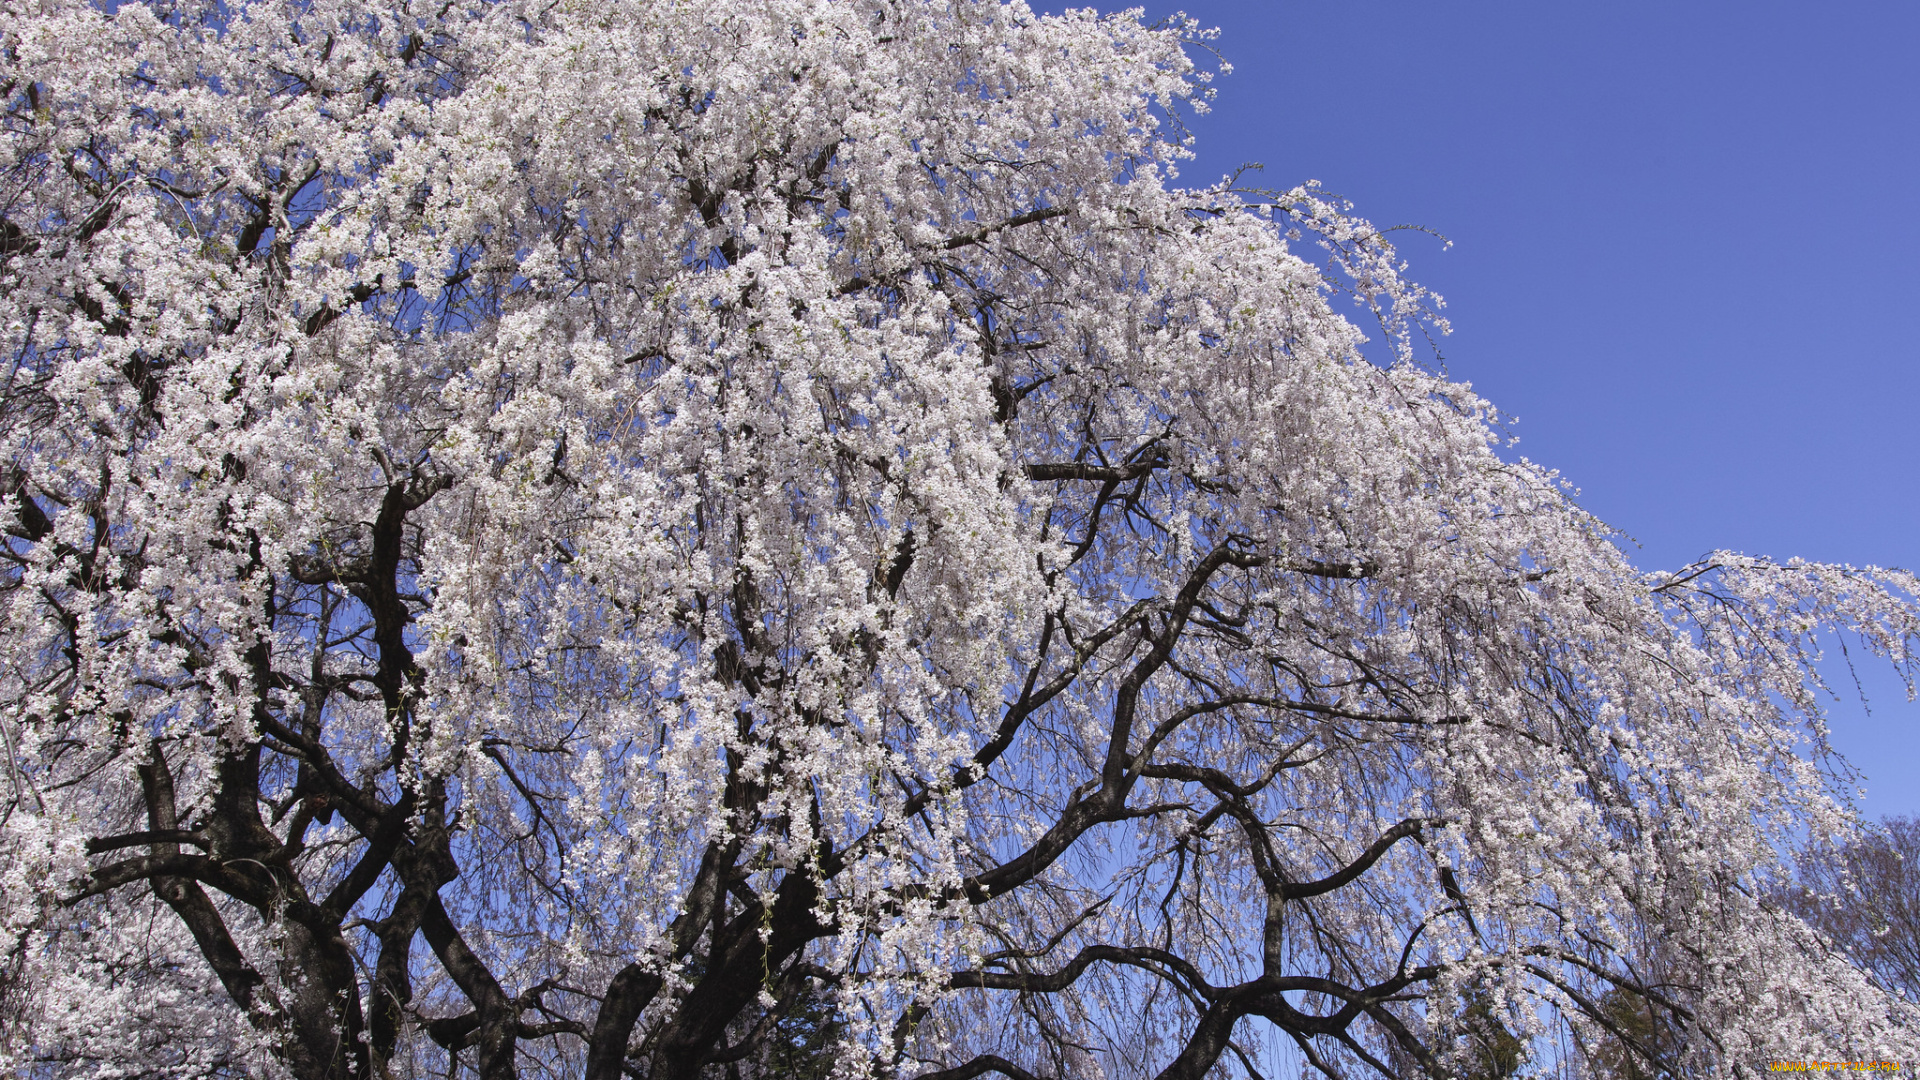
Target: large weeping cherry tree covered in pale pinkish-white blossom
x=642, y=539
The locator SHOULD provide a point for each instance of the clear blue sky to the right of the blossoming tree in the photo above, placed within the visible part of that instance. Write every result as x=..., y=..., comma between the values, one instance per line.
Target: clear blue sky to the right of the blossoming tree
x=1687, y=251
